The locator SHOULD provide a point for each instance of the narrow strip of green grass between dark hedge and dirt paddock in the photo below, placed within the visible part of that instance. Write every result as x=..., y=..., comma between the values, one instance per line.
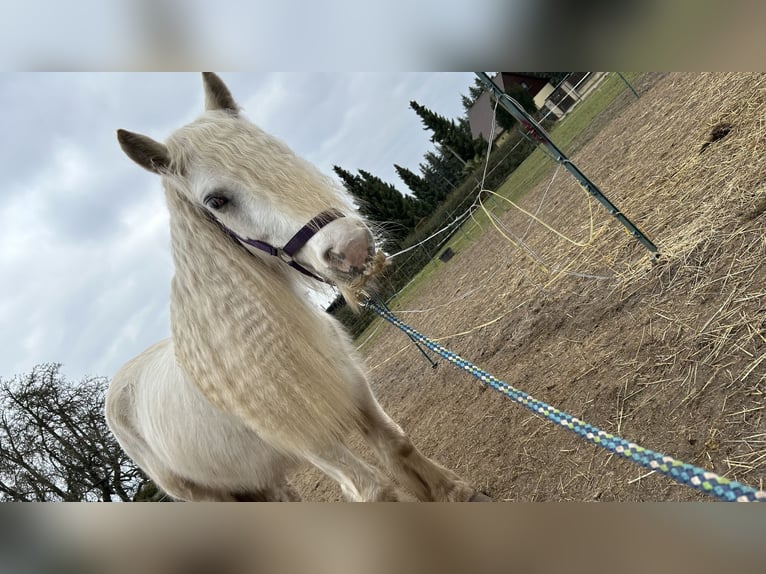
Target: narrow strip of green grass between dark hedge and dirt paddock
x=565, y=135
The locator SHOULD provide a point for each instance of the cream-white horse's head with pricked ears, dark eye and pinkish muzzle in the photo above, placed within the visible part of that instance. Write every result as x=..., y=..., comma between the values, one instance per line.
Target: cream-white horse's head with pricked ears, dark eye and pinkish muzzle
x=255, y=186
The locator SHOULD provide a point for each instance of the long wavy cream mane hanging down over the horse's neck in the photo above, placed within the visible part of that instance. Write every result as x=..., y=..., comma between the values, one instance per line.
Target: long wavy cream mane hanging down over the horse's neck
x=246, y=339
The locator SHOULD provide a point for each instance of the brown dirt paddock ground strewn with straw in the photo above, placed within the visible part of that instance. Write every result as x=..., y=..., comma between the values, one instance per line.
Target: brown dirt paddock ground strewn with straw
x=671, y=355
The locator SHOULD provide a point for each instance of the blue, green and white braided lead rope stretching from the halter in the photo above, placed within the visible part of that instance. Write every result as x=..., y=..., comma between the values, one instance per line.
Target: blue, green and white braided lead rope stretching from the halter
x=690, y=475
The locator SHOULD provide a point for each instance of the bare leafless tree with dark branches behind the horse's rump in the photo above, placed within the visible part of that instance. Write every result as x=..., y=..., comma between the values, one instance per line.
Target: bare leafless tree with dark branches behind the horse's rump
x=55, y=444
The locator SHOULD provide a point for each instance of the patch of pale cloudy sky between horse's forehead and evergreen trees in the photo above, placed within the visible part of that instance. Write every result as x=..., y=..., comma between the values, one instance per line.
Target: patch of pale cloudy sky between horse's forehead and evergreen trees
x=356, y=120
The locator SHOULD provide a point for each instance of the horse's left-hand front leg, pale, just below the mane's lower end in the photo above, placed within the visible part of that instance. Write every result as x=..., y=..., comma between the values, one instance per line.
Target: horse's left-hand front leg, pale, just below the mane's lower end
x=358, y=481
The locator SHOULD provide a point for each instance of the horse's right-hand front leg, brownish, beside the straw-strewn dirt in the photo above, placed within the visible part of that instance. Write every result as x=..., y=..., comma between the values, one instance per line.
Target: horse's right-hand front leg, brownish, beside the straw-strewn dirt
x=427, y=479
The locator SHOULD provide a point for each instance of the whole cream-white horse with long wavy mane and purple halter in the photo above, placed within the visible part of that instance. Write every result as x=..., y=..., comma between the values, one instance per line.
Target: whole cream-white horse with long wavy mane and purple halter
x=256, y=380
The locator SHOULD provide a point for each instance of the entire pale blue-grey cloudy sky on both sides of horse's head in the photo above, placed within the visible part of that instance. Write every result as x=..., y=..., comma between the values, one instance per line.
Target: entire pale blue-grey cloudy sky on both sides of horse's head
x=84, y=239
